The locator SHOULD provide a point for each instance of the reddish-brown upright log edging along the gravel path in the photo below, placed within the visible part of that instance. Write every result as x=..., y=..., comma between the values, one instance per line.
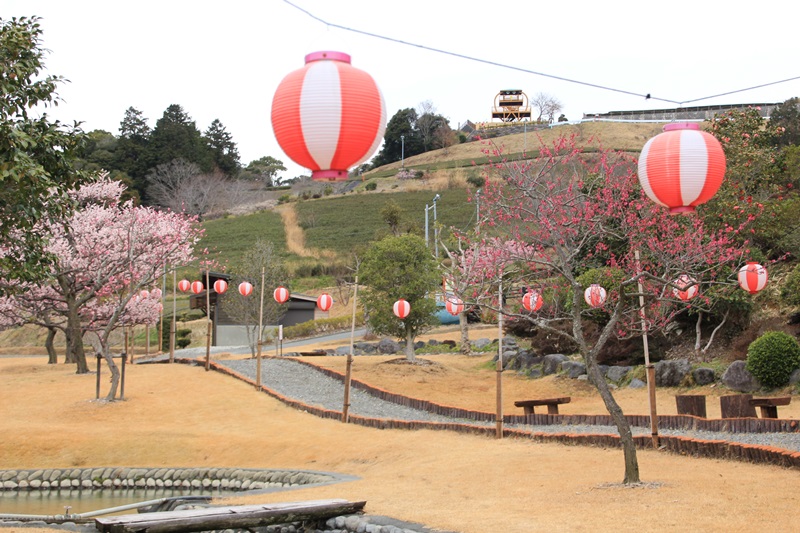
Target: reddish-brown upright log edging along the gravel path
x=673, y=443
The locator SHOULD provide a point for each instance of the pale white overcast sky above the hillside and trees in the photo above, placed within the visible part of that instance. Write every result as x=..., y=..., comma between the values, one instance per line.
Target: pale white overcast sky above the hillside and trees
x=225, y=59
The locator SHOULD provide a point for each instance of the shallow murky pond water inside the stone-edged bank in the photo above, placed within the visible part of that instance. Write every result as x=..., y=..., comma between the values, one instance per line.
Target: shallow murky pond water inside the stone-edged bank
x=52, y=502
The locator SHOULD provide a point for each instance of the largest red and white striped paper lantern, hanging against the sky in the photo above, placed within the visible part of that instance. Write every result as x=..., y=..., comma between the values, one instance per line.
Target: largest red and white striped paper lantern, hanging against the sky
x=328, y=116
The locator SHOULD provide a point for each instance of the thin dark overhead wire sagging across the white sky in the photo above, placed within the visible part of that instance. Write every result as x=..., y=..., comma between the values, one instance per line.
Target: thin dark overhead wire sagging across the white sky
x=647, y=96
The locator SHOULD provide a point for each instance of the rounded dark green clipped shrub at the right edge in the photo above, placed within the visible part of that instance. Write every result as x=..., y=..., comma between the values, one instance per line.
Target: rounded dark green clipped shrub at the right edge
x=773, y=357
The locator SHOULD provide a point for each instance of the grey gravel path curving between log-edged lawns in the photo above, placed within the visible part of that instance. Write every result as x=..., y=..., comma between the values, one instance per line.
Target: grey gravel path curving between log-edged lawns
x=303, y=383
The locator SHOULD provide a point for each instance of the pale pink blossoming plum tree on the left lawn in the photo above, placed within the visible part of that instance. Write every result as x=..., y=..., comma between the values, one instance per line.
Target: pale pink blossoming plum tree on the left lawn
x=105, y=253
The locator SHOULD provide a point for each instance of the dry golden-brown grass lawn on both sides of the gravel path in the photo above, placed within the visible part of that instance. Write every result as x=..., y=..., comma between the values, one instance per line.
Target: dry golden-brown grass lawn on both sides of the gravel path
x=176, y=415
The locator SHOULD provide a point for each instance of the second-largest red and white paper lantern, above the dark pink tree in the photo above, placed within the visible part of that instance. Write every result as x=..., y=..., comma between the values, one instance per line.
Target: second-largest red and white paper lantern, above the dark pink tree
x=682, y=167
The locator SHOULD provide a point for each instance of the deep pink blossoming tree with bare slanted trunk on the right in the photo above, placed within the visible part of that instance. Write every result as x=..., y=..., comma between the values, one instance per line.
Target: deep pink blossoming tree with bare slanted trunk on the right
x=567, y=212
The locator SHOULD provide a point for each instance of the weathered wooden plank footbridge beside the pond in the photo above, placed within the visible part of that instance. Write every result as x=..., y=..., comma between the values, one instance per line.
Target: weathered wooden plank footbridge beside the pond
x=227, y=517
